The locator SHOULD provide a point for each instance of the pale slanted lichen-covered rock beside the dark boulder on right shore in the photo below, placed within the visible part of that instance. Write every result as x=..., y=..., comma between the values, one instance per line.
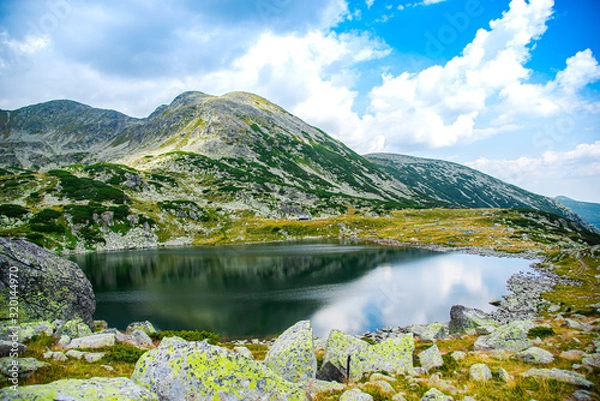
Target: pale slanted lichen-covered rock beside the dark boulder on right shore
x=512, y=337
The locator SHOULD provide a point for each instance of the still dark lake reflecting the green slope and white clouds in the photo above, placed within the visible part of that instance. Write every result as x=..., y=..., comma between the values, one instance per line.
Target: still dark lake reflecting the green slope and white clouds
x=260, y=290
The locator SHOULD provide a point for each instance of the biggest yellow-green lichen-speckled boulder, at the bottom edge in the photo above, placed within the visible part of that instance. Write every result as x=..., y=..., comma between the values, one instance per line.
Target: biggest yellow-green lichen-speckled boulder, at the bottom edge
x=180, y=370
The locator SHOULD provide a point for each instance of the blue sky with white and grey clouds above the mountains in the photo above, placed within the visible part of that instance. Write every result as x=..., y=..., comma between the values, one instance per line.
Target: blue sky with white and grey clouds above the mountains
x=511, y=88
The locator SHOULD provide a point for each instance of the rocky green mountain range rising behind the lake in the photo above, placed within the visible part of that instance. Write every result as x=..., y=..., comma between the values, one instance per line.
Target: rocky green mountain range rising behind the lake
x=202, y=157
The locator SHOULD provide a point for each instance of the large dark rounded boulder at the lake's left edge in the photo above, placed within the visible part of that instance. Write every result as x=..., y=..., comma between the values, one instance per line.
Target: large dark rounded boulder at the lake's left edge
x=49, y=287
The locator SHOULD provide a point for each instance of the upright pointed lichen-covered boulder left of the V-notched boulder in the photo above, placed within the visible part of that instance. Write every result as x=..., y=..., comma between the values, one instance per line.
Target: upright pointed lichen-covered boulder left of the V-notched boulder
x=292, y=356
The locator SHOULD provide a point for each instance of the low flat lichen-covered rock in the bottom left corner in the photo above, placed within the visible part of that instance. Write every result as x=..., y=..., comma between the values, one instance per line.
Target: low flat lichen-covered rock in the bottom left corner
x=98, y=388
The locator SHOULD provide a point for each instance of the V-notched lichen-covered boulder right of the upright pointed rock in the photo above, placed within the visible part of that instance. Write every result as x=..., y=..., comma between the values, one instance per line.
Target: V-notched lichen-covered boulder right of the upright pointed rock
x=393, y=355
